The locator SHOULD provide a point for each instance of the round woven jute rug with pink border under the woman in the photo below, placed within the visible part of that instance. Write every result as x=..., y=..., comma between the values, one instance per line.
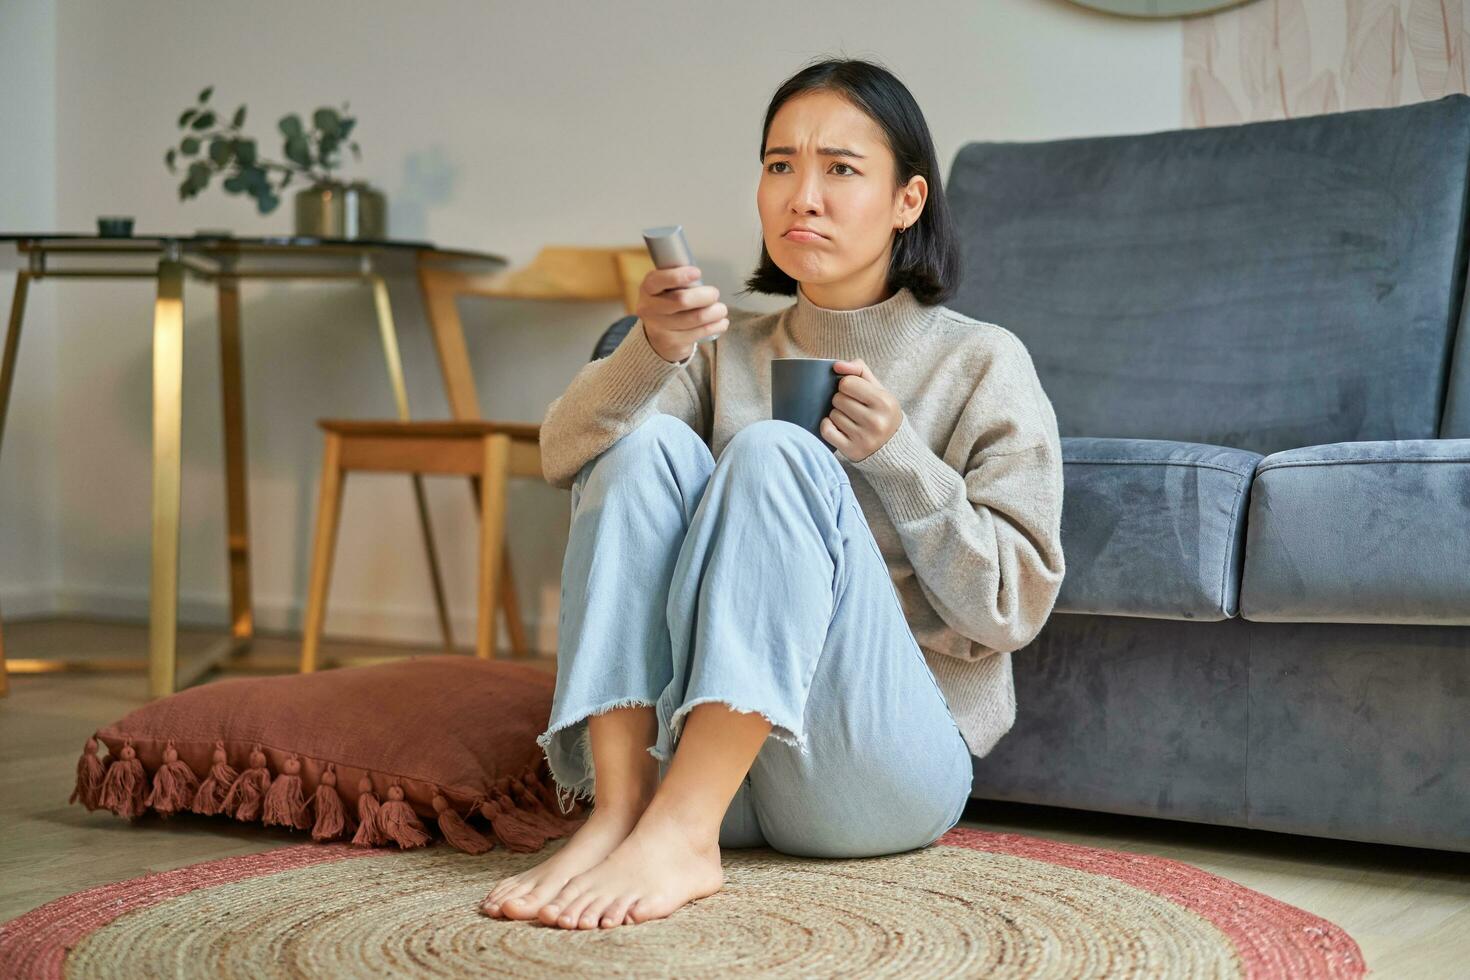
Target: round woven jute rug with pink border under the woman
x=974, y=904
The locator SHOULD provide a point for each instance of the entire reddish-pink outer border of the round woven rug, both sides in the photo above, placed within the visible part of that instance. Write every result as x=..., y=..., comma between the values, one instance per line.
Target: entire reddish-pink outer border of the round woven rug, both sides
x=1275, y=941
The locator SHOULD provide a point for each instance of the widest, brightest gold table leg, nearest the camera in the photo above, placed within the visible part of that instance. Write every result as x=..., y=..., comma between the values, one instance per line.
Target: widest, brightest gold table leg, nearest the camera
x=168, y=392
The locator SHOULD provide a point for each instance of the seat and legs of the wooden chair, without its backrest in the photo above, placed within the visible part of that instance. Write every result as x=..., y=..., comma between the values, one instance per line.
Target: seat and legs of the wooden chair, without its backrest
x=487, y=452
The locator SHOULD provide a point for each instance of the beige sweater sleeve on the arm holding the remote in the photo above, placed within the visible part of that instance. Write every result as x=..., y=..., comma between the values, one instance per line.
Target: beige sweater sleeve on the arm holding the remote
x=614, y=396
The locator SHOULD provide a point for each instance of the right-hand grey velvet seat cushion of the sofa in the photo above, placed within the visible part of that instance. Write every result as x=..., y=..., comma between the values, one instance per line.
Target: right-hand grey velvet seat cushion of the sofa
x=1360, y=533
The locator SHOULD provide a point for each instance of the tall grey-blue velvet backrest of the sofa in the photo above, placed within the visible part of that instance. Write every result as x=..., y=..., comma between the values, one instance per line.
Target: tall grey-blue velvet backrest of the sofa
x=1265, y=286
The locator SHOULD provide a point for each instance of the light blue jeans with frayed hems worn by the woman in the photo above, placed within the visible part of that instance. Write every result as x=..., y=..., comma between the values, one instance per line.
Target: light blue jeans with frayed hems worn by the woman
x=753, y=583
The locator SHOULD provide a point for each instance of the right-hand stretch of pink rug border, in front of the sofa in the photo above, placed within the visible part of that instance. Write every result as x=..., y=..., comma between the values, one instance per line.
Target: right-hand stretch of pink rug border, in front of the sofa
x=1274, y=940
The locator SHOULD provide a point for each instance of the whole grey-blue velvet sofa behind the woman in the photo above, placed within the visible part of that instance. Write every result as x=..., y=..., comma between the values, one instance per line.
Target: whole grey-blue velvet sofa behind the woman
x=1256, y=343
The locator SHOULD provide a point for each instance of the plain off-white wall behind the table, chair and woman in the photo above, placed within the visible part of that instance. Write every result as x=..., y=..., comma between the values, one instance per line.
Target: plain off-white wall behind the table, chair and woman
x=495, y=127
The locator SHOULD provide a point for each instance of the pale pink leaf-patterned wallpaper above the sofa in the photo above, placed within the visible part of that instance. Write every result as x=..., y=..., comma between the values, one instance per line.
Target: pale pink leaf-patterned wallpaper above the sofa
x=1278, y=60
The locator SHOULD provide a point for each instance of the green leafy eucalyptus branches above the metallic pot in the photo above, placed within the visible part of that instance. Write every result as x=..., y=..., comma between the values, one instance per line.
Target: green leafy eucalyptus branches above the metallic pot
x=212, y=148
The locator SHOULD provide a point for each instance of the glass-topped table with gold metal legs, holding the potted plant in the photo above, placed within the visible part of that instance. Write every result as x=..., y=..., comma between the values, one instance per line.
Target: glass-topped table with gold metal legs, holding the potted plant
x=226, y=261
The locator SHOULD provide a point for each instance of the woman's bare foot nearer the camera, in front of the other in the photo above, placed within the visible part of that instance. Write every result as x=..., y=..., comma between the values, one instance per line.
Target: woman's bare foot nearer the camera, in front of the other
x=656, y=871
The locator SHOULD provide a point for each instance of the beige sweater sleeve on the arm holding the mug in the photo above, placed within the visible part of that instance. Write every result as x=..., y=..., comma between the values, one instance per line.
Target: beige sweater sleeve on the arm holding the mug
x=984, y=534
